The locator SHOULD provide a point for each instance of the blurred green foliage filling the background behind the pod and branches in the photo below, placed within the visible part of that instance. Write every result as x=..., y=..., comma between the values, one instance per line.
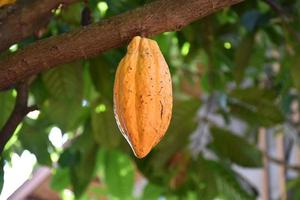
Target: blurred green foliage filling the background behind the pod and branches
x=246, y=57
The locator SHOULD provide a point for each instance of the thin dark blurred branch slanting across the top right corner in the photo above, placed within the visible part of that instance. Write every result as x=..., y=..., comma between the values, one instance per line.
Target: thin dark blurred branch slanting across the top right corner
x=284, y=16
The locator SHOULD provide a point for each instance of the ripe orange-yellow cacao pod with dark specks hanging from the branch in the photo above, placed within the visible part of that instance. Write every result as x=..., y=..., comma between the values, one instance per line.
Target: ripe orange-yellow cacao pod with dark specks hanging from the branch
x=143, y=95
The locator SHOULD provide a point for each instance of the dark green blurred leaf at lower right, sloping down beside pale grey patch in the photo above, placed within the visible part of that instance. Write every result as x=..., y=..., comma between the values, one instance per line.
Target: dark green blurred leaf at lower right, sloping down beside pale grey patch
x=235, y=148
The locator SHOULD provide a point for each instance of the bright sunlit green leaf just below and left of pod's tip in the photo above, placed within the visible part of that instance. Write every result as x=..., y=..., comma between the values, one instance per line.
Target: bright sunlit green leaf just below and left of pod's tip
x=119, y=174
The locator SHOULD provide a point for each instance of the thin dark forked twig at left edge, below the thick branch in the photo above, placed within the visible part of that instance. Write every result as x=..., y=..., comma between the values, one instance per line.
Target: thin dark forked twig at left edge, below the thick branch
x=20, y=110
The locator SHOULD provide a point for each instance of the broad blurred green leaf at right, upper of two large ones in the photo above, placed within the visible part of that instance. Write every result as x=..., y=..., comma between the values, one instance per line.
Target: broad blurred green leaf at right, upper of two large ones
x=255, y=106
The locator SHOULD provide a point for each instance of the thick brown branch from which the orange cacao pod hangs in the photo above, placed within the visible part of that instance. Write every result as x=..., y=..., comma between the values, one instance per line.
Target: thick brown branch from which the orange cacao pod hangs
x=153, y=18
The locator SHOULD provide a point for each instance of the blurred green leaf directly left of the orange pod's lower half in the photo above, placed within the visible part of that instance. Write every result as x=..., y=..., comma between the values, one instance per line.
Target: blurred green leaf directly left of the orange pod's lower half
x=105, y=130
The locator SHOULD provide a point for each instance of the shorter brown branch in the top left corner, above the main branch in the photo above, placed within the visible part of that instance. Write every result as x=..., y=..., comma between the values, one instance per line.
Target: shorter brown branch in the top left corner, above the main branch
x=24, y=18
